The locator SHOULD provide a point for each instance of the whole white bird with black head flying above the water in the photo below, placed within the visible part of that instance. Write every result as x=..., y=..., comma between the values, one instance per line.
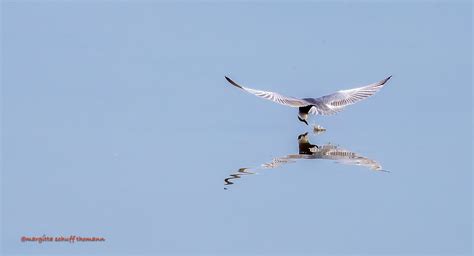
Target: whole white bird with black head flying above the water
x=325, y=105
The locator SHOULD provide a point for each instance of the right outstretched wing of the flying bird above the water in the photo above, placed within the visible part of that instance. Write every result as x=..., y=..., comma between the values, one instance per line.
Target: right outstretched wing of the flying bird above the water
x=333, y=103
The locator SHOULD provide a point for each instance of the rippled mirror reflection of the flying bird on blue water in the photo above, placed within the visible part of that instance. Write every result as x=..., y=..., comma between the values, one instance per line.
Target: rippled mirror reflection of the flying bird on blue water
x=309, y=151
